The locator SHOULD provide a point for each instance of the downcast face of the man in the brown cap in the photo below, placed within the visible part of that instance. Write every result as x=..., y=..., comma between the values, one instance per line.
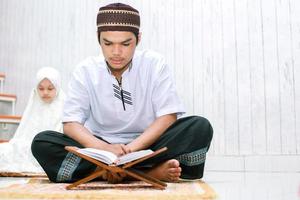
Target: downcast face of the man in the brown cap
x=118, y=48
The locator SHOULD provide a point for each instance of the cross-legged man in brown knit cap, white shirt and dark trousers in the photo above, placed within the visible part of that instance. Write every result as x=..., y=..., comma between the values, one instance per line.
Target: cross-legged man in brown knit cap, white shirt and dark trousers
x=122, y=103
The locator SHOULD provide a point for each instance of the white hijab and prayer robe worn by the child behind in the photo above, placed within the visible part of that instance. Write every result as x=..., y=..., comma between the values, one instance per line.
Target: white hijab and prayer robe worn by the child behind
x=16, y=156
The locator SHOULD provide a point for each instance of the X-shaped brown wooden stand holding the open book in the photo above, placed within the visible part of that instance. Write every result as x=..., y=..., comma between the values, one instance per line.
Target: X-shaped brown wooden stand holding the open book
x=126, y=168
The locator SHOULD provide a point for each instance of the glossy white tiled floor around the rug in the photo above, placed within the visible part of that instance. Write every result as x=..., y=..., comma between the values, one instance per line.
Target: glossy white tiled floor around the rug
x=239, y=185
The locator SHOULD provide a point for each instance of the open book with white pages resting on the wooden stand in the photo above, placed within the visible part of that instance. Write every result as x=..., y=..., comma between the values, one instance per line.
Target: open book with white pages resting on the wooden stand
x=112, y=159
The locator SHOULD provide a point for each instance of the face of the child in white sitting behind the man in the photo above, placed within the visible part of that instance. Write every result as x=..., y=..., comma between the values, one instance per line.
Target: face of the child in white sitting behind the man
x=46, y=90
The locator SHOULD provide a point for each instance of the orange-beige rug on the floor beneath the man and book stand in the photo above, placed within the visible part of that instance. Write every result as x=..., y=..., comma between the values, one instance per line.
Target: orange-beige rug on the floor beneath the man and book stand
x=41, y=188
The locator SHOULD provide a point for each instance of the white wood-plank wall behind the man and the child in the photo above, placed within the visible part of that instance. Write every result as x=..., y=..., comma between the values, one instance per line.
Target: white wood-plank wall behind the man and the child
x=236, y=62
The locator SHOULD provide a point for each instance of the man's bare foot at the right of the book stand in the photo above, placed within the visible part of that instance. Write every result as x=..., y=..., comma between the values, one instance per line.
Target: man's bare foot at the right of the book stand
x=168, y=171
